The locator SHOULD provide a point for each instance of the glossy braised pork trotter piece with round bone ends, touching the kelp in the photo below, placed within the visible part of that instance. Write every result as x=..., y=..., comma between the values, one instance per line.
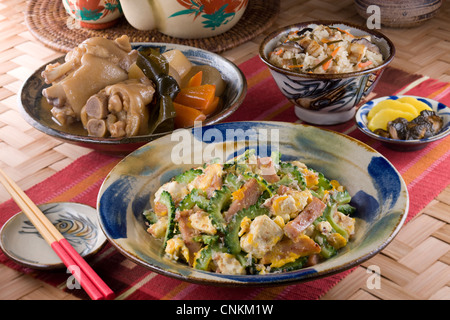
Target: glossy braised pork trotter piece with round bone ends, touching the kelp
x=119, y=110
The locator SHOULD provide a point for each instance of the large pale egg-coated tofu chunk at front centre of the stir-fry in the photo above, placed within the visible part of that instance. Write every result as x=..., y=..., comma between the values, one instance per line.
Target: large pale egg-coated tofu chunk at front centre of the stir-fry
x=264, y=233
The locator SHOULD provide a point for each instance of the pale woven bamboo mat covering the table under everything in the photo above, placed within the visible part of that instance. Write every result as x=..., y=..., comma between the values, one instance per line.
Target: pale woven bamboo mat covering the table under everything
x=416, y=264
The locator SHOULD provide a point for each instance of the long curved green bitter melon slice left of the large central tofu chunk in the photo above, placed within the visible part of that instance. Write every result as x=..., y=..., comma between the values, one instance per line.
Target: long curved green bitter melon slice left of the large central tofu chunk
x=232, y=233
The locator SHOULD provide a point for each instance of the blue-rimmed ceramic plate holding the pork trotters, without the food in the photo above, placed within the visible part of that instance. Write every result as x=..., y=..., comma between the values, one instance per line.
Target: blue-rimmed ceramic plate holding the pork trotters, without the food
x=31, y=108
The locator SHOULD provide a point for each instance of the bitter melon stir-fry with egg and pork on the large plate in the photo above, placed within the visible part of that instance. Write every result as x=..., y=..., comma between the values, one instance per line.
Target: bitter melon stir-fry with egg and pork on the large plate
x=251, y=215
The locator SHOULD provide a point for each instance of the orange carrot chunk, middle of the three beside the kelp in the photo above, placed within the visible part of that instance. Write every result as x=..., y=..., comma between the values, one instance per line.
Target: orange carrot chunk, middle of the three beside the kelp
x=199, y=97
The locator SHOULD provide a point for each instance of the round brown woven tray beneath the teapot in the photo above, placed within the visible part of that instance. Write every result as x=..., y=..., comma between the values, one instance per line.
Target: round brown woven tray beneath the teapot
x=48, y=21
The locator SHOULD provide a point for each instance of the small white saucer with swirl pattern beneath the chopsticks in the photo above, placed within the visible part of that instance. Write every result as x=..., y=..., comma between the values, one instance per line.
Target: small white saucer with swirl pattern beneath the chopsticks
x=21, y=242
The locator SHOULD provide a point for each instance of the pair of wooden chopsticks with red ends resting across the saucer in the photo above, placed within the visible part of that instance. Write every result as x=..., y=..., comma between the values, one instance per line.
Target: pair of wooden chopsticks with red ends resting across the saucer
x=94, y=286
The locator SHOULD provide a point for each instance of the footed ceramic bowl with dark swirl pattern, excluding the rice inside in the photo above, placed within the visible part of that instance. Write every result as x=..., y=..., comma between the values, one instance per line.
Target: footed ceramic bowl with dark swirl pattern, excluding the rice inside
x=326, y=99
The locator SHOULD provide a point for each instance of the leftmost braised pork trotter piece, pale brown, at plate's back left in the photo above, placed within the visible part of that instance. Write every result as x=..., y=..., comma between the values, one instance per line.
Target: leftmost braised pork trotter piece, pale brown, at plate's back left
x=94, y=64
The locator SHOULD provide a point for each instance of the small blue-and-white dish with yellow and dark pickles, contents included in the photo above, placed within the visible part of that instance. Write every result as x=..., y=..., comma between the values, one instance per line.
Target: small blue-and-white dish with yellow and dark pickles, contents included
x=404, y=122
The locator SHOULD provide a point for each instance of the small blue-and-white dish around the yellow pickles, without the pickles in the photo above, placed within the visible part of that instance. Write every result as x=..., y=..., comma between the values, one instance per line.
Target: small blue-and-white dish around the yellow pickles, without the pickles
x=404, y=145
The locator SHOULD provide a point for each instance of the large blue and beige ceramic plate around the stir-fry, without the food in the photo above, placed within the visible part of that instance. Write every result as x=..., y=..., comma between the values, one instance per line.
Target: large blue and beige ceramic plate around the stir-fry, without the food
x=379, y=192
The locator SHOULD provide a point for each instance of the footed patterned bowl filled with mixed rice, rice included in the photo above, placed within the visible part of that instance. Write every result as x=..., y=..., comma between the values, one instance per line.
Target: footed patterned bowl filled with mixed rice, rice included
x=325, y=68
